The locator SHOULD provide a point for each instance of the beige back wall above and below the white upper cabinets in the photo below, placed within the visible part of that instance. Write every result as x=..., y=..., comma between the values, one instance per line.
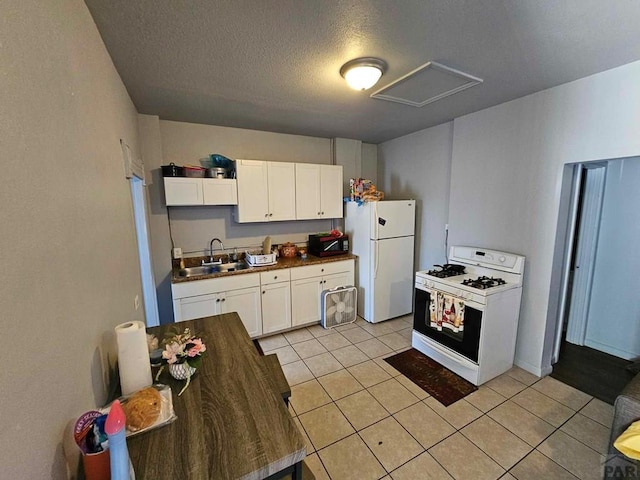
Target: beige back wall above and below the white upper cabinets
x=192, y=228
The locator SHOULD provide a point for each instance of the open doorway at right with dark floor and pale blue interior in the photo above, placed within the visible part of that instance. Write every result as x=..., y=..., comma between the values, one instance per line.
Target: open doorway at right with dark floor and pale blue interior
x=598, y=329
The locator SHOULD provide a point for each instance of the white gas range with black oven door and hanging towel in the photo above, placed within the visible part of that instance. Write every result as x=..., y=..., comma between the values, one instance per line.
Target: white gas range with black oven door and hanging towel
x=466, y=312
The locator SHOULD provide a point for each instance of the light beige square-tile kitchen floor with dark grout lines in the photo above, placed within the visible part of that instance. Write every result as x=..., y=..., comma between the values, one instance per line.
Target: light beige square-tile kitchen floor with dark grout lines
x=362, y=419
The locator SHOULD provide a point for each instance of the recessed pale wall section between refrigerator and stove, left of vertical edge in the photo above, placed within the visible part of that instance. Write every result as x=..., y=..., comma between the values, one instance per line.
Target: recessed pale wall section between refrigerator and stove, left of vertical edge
x=419, y=166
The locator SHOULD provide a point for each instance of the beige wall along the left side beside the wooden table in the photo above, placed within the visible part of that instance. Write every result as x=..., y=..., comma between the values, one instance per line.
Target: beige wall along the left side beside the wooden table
x=68, y=244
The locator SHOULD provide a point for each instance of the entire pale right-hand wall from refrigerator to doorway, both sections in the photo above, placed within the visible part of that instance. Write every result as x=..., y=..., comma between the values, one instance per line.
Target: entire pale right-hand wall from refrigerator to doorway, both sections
x=498, y=174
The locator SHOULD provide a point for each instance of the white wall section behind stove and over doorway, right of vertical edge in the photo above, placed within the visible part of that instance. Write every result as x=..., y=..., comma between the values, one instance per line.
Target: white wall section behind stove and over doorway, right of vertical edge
x=506, y=179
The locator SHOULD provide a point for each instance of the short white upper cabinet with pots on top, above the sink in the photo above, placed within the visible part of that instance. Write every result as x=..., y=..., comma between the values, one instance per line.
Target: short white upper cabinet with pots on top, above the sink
x=200, y=191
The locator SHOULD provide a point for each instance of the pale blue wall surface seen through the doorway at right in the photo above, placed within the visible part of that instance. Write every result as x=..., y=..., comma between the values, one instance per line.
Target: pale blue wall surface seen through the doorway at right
x=613, y=323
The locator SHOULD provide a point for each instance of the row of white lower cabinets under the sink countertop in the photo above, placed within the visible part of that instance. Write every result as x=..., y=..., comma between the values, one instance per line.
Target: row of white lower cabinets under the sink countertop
x=266, y=302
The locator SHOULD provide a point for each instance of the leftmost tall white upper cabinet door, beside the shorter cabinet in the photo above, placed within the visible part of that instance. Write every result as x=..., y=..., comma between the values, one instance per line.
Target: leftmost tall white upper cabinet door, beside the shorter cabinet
x=252, y=191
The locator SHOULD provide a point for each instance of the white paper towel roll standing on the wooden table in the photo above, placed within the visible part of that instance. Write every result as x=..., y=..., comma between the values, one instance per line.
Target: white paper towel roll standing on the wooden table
x=133, y=357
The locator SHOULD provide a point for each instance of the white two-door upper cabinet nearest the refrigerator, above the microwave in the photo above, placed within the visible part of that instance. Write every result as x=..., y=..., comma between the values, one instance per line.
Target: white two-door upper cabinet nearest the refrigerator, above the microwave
x=319, y=191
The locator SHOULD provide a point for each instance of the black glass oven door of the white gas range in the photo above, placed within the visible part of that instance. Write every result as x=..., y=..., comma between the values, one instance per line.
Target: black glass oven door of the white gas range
x=465, y=341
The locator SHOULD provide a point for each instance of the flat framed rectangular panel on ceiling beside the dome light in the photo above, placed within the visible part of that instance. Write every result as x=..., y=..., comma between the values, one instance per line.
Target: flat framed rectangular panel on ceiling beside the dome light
x=426, y=84
